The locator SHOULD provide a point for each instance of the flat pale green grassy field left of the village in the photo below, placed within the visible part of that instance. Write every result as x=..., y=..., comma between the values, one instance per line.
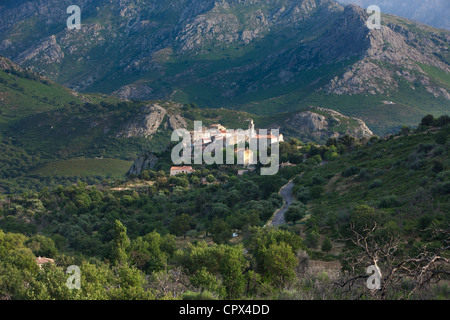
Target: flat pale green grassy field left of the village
x=85, y=167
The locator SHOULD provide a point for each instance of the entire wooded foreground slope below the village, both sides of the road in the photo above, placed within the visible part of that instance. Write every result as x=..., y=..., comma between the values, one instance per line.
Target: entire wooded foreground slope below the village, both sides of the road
x=168, y=228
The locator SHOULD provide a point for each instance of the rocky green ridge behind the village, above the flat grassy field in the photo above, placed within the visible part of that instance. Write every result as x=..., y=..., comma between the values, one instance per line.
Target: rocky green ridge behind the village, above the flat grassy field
x=64, y=124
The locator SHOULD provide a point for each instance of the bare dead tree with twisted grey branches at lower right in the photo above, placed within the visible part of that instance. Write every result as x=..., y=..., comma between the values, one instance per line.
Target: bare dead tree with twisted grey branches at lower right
x=397, y=268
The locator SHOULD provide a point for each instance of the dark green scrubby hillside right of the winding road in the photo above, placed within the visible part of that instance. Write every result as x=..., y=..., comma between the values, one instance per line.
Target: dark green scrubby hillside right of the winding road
x=404, y=179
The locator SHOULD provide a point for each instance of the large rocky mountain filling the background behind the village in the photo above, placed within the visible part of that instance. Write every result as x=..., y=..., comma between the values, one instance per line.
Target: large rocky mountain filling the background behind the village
x=260, y=56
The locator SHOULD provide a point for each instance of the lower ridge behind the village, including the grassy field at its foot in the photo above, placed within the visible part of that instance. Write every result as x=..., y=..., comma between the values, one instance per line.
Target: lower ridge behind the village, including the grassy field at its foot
x=51, y=134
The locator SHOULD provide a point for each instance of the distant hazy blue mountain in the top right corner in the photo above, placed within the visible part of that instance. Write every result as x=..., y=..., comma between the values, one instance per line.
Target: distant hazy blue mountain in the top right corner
x=431, y=12
